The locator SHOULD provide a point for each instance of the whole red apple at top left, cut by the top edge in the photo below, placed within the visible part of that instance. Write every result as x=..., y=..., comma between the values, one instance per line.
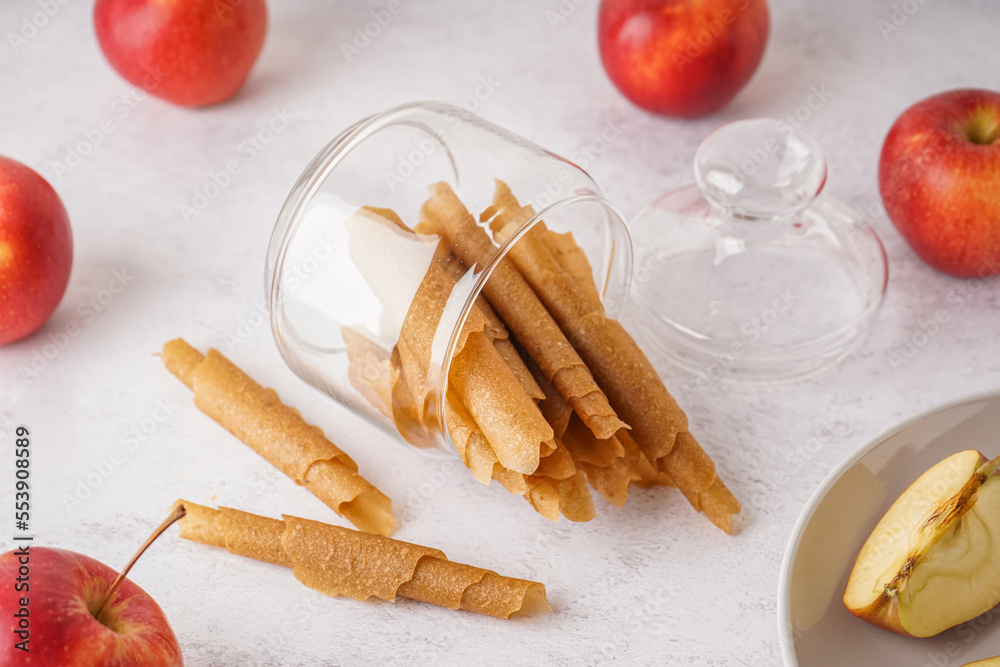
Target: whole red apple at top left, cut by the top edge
x=189, y=52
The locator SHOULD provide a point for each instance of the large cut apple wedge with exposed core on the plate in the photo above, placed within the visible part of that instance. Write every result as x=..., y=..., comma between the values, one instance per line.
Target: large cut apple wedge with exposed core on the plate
x=932, y=561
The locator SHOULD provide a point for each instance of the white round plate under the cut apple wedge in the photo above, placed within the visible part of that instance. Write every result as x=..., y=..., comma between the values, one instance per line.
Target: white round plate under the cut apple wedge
x=814, y=626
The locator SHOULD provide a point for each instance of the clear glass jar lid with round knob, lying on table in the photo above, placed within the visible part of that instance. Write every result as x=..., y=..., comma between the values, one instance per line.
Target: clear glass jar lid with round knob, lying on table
x=751, y=275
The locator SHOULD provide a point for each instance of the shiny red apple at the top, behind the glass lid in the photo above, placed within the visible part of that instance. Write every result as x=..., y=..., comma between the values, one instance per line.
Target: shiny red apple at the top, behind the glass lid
x=685, y=58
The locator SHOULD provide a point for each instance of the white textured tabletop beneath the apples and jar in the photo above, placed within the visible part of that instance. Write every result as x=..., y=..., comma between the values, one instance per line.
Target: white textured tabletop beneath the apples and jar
x=649, y=584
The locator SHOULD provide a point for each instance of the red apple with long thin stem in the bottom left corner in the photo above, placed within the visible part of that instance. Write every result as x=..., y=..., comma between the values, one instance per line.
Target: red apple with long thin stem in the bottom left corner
x=61, y=590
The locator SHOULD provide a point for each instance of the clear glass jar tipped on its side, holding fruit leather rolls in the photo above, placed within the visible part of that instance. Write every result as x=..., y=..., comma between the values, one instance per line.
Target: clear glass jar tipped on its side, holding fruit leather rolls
x=340, y=284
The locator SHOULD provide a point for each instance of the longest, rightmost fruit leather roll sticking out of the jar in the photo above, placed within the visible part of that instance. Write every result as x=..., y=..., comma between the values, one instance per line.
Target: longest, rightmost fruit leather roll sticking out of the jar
x=658, y=424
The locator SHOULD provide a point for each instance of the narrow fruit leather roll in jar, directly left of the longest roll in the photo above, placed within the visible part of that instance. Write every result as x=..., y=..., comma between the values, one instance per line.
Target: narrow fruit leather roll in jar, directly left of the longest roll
x=521, y=310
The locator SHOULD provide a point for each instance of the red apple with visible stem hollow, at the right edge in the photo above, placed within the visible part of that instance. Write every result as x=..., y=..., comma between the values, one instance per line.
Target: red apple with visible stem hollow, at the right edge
x=939, y=175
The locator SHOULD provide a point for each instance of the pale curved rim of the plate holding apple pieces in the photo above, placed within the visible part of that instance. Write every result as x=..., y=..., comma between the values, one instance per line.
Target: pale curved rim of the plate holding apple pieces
x=791, y=548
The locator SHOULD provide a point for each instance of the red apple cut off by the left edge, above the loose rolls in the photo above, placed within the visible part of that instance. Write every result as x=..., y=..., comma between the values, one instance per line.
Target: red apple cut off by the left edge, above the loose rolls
x=36, y=250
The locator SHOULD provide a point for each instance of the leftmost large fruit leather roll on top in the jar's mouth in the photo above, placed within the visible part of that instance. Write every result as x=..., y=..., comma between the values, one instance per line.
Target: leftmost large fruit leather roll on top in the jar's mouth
x=489, y=390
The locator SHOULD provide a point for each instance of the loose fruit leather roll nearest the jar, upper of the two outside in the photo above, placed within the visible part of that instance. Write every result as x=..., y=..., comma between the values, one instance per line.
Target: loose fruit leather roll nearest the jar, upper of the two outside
x=278, y=432
